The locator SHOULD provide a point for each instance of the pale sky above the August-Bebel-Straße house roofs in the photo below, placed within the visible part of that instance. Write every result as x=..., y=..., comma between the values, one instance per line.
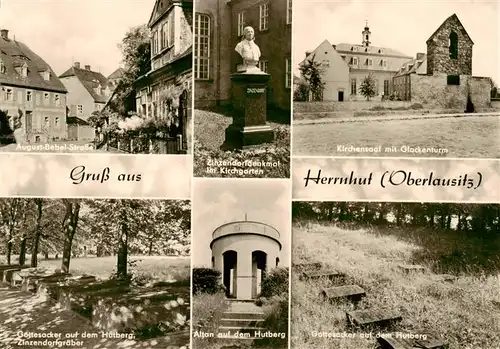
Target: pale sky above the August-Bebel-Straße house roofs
x=67, y=31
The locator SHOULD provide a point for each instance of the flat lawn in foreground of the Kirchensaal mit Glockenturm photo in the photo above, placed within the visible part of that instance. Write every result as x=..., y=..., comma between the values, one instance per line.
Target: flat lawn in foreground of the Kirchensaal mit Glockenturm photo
x=461, y=137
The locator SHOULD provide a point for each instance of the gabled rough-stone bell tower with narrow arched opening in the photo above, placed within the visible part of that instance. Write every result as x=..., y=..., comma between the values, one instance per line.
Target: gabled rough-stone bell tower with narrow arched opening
x=438, y=51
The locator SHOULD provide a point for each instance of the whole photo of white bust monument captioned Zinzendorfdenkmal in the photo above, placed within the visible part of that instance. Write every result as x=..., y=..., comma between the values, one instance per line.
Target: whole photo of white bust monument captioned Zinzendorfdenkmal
x=243, y=84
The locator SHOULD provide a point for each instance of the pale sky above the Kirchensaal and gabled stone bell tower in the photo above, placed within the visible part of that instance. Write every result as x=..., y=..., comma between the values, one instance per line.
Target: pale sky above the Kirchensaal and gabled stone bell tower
x=403, y=25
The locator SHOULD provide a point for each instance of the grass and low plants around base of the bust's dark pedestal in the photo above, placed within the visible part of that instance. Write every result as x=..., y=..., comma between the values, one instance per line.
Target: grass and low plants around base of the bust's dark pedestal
x=209, y=130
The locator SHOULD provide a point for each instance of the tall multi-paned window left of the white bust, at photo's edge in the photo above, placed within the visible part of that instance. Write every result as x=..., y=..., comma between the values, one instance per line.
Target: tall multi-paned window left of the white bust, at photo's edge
x=202, y=47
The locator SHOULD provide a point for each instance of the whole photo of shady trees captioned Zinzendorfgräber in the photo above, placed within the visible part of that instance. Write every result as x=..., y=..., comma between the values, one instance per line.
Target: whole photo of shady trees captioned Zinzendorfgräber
x=95, y=274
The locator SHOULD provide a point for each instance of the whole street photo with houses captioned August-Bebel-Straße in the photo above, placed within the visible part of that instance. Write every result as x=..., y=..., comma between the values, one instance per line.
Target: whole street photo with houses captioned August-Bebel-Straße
x=73, y=83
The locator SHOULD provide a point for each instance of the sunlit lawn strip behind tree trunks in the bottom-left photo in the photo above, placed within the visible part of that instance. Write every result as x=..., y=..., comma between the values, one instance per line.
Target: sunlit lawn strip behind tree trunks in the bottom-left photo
x=159, y=268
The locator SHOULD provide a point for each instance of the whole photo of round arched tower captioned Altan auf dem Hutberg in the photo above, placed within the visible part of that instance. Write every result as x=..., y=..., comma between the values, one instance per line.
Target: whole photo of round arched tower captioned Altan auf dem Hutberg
x=241, y=253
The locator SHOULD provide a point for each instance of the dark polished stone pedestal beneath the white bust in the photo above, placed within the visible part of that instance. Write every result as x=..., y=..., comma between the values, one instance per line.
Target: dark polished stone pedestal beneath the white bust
x=249, y=97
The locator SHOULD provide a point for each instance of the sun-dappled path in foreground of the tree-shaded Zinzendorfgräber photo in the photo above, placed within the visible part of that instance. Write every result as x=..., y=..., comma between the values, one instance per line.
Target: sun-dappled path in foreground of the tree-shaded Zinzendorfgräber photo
x=24, y=314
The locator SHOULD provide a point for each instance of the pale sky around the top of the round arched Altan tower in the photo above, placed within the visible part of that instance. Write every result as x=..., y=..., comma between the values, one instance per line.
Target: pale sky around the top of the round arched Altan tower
x=220, y=201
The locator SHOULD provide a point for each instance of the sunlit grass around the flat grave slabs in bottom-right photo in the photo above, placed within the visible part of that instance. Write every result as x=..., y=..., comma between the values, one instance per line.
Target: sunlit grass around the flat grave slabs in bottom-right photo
x=464, y=313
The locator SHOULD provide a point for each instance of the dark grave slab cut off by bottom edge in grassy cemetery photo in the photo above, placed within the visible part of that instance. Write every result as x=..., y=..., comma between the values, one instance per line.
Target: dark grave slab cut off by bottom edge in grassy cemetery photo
x=396, y=340
